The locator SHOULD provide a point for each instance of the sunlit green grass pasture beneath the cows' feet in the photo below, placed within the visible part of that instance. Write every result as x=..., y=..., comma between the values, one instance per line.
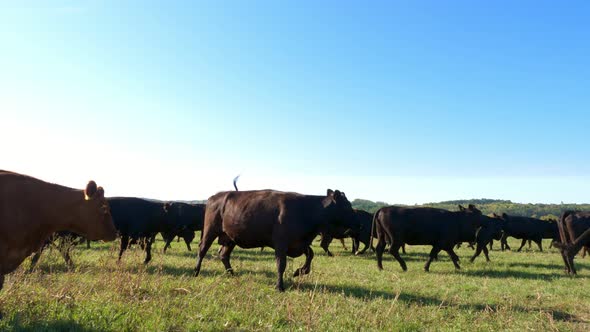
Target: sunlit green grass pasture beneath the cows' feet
x=516, y=291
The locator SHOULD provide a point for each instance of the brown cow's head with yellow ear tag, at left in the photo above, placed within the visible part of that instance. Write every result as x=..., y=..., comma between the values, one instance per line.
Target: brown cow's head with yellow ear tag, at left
x=95, y=215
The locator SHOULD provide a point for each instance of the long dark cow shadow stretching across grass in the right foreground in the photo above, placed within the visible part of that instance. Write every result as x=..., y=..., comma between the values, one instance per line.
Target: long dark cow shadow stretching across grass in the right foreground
x=410, y=298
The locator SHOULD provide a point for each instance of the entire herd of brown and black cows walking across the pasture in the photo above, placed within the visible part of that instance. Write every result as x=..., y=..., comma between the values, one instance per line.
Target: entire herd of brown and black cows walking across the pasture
x=34, y=214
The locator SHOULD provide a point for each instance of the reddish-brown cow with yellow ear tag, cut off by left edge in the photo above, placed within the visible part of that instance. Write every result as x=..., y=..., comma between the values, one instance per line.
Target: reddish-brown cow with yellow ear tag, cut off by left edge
x=31, y=210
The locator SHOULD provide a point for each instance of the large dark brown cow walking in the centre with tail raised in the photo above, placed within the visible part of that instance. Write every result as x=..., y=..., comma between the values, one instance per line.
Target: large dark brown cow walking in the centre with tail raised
x=285, y=221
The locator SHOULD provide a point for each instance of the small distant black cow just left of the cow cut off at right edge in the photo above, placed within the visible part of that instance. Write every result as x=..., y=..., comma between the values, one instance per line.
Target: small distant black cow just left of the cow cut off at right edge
x=527, y=229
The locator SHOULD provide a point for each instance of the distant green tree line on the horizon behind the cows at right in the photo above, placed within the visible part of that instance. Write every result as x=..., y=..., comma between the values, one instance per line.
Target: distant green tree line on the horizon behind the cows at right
x=489, y=206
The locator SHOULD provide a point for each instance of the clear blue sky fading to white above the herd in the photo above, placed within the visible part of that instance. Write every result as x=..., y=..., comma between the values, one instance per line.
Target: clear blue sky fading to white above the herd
x=397, y=101
